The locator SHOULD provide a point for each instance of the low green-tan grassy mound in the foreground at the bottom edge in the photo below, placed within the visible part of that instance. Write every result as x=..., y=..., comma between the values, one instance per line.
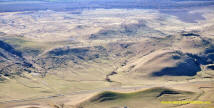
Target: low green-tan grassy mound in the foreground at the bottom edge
x=149, y=98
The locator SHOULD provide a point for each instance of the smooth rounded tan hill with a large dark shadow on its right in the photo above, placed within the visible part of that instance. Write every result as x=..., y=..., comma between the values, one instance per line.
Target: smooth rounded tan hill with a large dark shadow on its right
x=163, y=63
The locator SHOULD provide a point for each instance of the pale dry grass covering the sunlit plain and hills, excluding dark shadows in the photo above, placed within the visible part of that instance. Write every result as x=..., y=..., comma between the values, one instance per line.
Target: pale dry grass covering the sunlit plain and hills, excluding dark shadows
x=146, y=52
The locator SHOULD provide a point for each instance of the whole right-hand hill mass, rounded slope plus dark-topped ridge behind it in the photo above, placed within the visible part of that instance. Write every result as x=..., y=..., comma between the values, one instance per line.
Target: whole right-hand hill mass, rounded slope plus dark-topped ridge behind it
x=184, y=55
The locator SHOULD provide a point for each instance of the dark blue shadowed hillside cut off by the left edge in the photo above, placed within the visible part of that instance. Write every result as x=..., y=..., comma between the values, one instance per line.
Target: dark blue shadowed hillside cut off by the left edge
x=12, y=61
